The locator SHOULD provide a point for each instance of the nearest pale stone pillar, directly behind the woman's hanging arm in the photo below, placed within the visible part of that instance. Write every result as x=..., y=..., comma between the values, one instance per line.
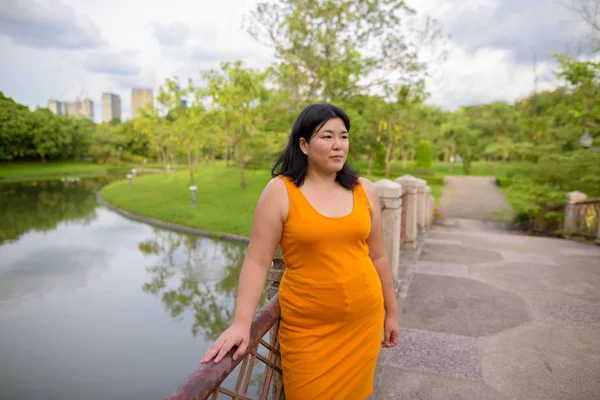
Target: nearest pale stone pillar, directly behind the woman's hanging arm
x=390, y=199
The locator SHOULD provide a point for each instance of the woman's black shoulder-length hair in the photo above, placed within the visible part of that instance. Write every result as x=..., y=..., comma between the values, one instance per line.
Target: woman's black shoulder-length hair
x=293, y=163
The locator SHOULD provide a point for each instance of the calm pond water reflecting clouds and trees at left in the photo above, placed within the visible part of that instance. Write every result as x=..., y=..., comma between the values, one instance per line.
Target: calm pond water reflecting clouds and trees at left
x=96, y=306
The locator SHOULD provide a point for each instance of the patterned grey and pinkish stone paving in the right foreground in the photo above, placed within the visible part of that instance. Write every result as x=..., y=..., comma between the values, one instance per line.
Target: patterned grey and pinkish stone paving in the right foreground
x=496, y=316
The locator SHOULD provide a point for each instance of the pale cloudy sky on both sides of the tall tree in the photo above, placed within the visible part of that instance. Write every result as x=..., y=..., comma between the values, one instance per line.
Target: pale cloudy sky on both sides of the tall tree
x=68, y=49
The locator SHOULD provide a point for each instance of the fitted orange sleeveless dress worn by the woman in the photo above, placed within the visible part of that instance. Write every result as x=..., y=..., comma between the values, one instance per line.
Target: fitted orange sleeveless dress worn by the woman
x=331, y=301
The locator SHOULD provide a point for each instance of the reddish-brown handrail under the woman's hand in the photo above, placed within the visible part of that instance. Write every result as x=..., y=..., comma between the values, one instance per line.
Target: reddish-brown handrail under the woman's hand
x=207, y=379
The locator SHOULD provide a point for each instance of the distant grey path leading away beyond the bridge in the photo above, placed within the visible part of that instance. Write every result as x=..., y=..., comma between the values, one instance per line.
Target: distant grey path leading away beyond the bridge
x=475, y=197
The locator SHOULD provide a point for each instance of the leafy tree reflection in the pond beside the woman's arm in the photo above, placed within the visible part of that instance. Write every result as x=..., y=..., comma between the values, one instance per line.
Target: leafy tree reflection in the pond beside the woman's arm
x=195, y=275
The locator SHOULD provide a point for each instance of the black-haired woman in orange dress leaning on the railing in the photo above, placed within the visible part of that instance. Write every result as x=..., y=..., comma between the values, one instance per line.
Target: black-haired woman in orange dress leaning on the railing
x=338, y=278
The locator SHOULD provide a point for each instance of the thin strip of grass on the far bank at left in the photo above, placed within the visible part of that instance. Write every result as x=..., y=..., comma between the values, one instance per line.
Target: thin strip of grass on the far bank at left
x=58, y=167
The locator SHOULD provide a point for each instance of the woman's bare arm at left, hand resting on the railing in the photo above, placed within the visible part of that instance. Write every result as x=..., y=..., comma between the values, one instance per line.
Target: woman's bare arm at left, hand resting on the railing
x=267, y=228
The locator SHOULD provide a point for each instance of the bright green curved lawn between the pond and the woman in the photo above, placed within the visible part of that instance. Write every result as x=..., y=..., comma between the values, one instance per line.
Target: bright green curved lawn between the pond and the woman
x=222, y=206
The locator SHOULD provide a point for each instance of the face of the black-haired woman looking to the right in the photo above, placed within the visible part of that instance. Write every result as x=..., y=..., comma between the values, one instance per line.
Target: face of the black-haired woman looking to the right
x=328, y=148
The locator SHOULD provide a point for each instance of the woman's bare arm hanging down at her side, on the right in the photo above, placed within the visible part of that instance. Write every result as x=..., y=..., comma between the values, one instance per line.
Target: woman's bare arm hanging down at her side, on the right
x=381, y=261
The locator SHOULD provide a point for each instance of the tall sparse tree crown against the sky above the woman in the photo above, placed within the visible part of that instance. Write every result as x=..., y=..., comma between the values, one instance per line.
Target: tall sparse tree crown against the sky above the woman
x=333, y=49
